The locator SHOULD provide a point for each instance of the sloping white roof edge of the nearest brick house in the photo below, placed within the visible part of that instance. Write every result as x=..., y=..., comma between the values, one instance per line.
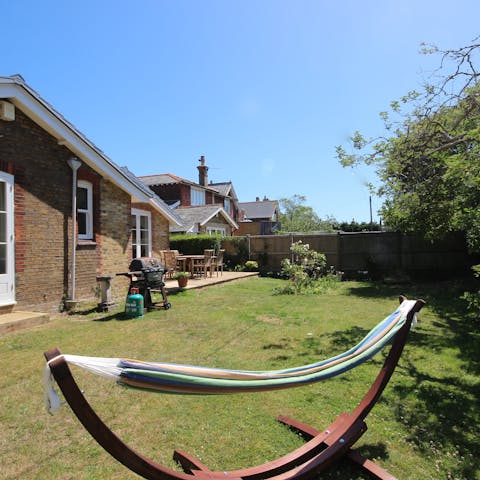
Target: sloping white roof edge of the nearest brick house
x=30, y=103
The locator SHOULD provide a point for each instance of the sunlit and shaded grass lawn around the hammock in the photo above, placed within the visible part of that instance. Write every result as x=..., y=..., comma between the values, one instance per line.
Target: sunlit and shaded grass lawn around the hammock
x=426, y=426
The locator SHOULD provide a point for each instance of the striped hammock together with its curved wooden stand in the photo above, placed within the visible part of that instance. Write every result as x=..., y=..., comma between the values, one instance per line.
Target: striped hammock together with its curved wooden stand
x=319, y=452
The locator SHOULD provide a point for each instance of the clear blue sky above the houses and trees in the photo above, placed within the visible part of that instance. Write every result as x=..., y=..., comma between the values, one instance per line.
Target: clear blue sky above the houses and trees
x=264, y=89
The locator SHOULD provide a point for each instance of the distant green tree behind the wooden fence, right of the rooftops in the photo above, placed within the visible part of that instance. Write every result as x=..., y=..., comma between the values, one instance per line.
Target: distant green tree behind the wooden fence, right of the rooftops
x=295, y=216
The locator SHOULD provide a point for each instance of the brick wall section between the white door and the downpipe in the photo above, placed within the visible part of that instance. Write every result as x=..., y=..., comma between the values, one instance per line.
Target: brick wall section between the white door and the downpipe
x=42, y=199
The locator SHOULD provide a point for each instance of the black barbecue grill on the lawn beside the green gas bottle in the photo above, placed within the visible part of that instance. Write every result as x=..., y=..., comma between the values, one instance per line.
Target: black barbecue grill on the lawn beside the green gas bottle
x=146, y=274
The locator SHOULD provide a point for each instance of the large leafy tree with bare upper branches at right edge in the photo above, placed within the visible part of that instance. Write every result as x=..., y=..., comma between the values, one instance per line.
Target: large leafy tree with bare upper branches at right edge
x=429, y=165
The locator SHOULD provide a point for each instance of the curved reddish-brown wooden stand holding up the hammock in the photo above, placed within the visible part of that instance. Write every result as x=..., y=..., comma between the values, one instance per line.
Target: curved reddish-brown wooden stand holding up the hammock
x=319, y=452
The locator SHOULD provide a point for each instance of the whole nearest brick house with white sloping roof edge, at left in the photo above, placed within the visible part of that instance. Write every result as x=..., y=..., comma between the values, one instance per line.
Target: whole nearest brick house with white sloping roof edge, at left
x=49, y=174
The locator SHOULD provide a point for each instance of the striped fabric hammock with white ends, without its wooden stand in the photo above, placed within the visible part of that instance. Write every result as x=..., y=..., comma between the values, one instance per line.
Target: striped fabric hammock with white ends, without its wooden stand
x=190, y=379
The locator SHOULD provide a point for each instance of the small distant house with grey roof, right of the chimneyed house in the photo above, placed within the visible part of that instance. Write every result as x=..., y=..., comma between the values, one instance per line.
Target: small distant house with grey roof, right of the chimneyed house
x=260, y=217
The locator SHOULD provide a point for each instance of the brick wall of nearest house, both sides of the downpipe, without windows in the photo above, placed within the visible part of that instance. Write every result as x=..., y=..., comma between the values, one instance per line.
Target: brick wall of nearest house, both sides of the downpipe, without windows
x=42, y=197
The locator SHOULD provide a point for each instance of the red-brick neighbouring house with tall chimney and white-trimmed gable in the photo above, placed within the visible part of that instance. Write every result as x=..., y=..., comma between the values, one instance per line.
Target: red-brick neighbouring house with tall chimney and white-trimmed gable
x=203, y=207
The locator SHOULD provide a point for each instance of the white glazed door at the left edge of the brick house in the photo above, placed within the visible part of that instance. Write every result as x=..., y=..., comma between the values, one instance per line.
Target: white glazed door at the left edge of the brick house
x=7, y=261
